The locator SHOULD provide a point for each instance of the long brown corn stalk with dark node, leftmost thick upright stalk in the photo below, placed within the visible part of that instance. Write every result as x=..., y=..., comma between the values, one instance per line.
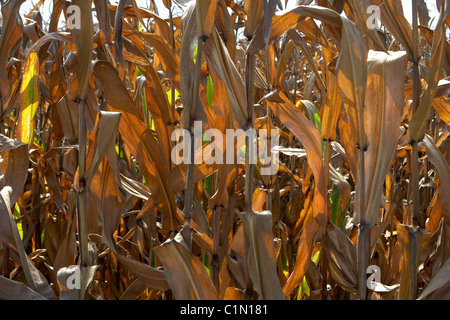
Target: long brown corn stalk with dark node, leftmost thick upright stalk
x=81, y=196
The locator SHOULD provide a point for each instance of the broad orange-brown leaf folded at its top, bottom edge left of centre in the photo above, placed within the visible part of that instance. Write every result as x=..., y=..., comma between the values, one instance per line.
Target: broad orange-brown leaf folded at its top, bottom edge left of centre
x=185, y=274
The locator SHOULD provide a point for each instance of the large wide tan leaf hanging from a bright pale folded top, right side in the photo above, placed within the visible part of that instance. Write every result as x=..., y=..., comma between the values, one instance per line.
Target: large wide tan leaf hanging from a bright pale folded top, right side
x=383, y=114
